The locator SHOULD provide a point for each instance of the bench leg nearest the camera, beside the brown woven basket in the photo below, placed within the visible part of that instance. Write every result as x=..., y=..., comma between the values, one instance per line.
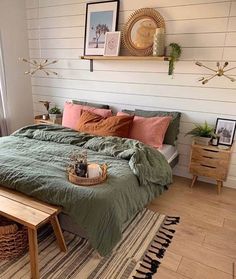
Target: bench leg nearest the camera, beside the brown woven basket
x=33, y=251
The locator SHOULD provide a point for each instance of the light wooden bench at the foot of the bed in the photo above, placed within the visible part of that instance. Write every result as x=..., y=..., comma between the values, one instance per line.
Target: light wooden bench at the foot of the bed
x=32, y=214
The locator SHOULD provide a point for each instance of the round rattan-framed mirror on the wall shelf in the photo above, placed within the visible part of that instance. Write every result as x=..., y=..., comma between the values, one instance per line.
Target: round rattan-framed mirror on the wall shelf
x=139, y=30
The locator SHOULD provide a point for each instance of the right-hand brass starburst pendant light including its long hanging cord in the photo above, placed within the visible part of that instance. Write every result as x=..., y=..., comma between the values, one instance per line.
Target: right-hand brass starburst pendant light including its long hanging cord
x=221, y=67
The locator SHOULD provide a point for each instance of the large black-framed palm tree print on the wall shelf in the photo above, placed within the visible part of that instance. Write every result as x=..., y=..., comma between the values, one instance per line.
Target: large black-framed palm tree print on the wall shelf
x=101, y=17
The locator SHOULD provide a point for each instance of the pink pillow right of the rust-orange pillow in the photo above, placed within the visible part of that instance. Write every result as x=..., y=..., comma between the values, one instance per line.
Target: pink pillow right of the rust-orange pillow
x=150, y=130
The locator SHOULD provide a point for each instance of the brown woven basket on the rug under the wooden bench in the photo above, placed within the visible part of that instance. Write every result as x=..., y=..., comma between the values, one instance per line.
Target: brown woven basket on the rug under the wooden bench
x=13, y=239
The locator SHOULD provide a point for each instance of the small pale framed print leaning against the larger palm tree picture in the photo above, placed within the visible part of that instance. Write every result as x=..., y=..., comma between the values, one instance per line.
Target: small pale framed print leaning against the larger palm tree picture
x=112, y=43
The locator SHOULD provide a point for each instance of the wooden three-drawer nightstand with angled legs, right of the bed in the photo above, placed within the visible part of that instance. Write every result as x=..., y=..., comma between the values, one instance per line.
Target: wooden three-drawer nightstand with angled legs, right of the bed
x=209, y=161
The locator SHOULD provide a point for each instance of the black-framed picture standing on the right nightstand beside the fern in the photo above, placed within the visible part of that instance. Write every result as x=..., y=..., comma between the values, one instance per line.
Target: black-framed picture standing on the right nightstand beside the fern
x=225, y=129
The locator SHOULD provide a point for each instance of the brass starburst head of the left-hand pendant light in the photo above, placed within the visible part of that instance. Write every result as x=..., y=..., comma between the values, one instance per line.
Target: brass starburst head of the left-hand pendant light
x=39, y=66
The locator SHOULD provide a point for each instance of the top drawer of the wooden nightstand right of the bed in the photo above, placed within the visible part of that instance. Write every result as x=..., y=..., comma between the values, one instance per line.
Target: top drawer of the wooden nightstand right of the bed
x=207, y=152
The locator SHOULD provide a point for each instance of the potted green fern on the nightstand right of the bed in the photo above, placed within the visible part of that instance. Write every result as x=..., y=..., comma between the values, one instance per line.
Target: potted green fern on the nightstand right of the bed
x=202, y=134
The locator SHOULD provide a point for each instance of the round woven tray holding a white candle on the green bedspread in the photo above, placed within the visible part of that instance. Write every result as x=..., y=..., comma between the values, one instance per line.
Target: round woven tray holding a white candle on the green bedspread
x=84, y=181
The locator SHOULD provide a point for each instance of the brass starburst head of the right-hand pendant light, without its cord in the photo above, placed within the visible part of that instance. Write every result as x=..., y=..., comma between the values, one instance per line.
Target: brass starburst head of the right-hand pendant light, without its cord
x=220, y=71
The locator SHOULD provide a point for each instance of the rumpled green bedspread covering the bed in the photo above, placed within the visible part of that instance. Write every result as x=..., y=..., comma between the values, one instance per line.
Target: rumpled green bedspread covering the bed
x=33, y=161
